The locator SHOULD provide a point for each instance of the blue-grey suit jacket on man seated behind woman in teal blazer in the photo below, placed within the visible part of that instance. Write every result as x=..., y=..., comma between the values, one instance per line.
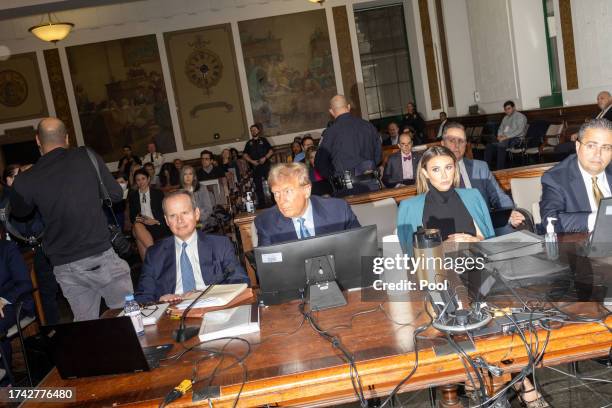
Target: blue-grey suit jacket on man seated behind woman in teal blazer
x=483, y=180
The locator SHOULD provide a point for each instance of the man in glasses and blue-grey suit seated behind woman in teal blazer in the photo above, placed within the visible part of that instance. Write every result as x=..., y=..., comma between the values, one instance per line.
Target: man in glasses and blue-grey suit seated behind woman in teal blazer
x=476, y=174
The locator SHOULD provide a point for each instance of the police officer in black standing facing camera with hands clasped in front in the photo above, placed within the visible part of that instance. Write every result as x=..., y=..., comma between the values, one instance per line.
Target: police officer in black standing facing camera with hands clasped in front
x=257, y=152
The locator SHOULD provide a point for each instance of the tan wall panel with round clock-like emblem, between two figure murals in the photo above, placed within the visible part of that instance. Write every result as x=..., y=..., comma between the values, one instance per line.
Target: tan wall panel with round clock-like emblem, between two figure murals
x=206, y=85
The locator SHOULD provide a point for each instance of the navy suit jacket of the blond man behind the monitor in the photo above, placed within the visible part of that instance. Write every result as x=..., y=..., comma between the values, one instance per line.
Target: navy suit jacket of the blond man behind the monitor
x=329, y=215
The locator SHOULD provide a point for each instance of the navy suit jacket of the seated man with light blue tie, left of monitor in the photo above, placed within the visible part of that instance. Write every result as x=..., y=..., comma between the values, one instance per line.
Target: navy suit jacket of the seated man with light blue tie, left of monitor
x=216, y=255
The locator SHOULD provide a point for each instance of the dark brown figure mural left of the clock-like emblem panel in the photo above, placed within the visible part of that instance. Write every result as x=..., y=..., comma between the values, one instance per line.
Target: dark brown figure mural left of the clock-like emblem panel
x=121, y=96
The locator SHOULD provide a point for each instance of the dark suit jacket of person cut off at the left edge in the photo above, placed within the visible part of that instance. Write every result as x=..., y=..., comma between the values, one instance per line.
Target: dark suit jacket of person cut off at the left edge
x=14, y=276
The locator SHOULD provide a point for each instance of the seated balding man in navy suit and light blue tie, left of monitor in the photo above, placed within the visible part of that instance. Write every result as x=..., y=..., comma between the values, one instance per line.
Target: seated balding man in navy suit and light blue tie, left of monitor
x=189, y=260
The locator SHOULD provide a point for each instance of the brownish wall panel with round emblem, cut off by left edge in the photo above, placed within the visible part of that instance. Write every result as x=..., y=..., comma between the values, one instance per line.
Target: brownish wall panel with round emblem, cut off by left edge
x=21, y=92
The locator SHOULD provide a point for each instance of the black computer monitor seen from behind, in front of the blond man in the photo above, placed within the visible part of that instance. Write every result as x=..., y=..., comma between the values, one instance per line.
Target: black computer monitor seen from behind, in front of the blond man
x=281, y=268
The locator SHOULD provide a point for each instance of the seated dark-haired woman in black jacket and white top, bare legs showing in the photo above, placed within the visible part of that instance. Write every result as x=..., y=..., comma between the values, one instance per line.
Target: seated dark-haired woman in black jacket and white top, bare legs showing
x=146, y=214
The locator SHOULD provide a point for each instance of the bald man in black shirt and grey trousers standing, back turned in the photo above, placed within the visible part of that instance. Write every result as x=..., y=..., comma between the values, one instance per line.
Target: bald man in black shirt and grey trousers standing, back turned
x=63, y=186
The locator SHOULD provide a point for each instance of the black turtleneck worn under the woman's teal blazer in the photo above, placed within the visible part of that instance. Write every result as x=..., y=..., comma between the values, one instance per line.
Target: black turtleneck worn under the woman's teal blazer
x=445, y=211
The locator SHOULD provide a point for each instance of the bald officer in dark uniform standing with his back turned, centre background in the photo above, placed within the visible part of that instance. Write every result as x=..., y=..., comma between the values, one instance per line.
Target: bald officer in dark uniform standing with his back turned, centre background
x=349, y=144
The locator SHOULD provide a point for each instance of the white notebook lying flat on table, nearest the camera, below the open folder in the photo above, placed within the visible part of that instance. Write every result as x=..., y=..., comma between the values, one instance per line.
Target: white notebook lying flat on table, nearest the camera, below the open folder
x=232, y=322
